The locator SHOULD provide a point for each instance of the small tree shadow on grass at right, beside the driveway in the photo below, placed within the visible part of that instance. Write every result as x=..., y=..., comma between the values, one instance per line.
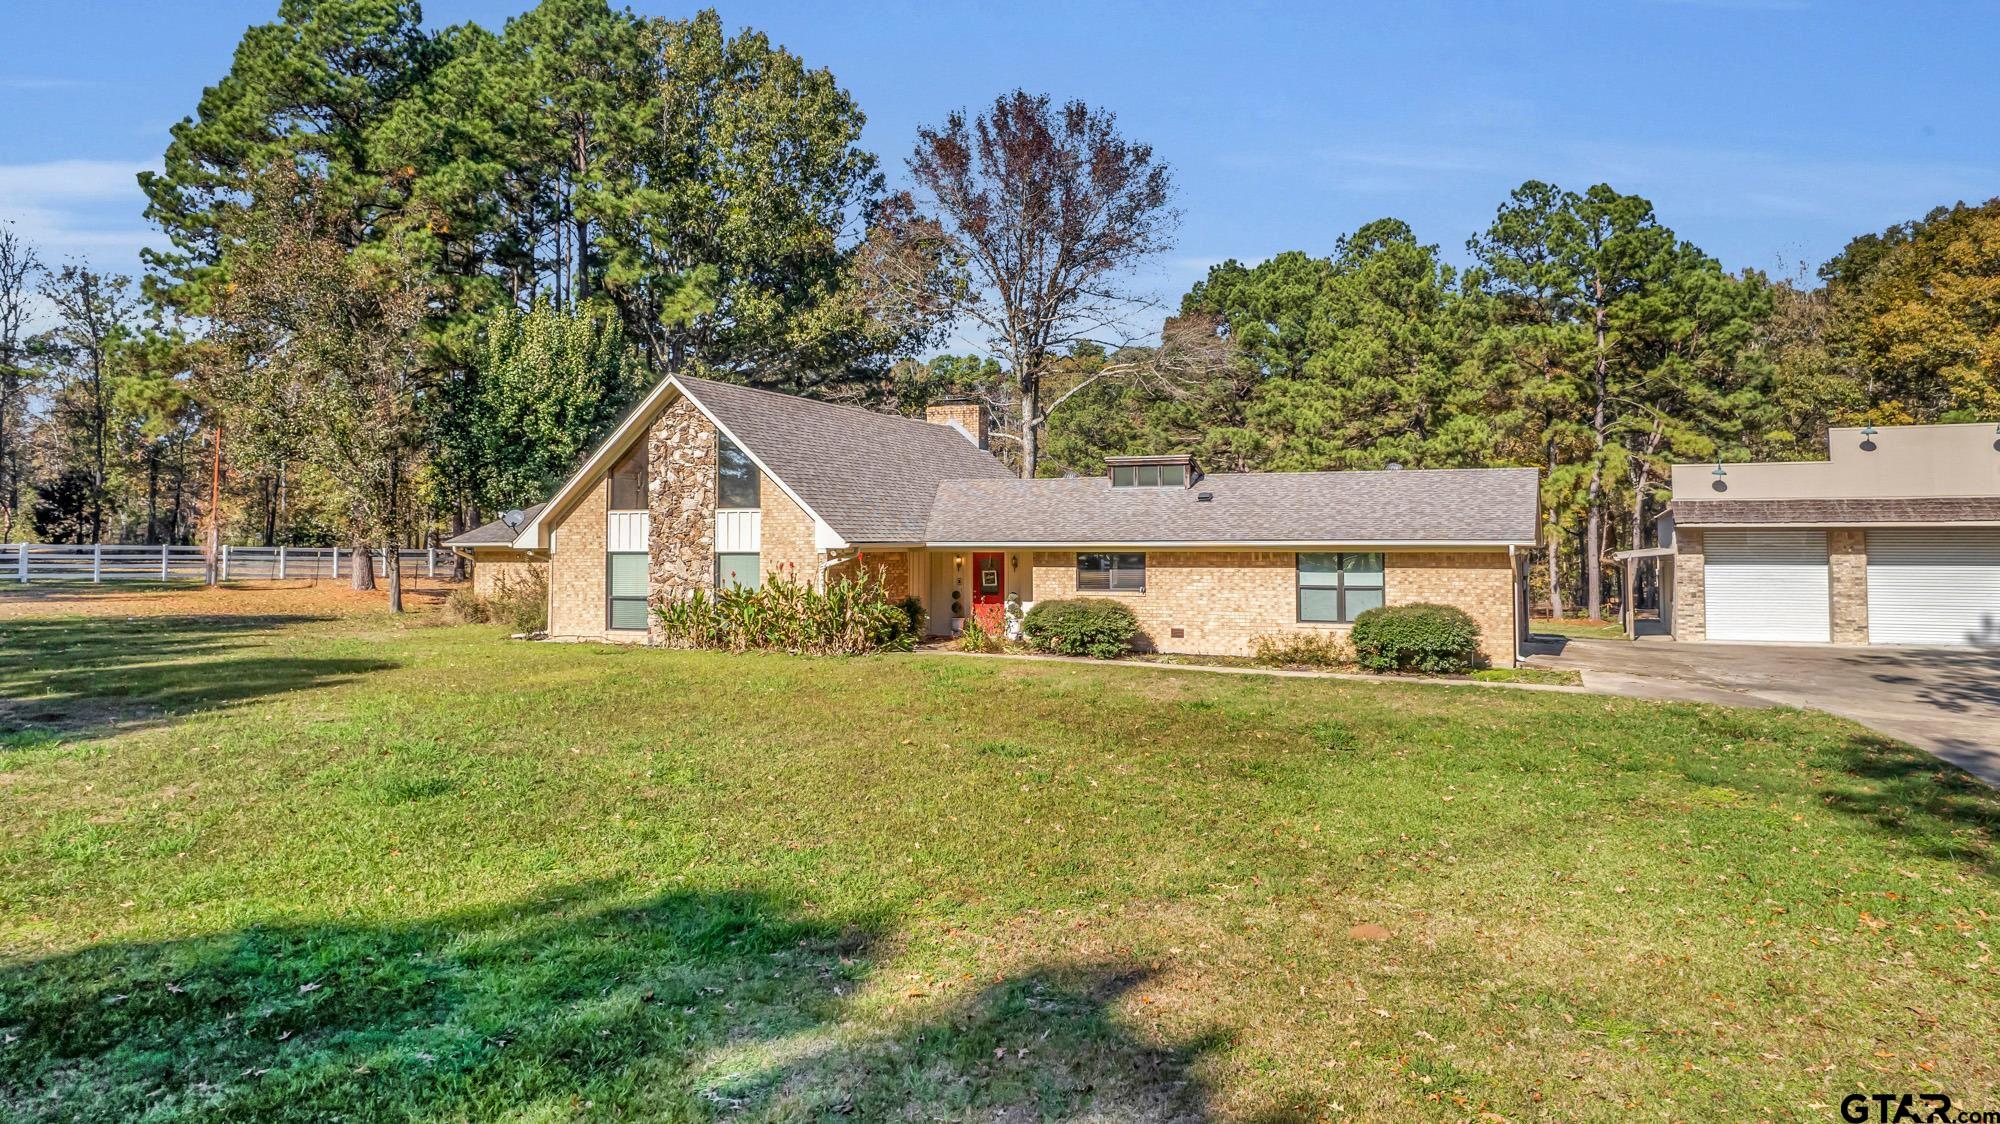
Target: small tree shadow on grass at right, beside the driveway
x=1931, y=805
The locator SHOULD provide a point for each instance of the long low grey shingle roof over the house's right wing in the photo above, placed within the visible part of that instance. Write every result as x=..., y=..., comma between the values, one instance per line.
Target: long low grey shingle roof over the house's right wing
x=1491, y=507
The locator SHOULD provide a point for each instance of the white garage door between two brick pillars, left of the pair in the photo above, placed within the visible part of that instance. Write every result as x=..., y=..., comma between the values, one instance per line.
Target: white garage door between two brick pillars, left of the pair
x=1767, y=585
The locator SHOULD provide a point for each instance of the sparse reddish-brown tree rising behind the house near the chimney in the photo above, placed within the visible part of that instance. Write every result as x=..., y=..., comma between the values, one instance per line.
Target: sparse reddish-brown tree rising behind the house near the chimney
x=1047, y=209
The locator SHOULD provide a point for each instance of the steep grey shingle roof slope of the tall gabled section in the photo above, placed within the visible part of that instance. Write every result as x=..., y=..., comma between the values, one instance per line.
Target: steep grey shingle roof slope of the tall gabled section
x=871, y=477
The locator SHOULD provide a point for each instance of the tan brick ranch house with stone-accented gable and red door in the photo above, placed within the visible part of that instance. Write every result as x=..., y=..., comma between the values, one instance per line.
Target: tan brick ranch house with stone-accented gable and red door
x=709, y=483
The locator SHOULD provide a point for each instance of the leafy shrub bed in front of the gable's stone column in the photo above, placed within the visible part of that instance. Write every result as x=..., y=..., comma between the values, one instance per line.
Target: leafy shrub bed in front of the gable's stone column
x=847, y=619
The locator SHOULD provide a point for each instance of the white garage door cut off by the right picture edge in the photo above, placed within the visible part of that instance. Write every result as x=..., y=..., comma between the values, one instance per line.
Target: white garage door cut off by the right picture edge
x=1935, y=587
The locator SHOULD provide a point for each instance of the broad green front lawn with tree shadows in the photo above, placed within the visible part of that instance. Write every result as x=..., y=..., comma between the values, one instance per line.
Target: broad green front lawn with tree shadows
x=369, y=869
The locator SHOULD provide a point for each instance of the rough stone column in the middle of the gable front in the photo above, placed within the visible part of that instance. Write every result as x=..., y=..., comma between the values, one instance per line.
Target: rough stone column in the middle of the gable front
x=681, y=493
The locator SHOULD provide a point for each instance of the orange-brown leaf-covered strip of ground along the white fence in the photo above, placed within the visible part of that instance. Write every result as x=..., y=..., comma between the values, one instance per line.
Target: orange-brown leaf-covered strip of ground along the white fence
x=239, y=599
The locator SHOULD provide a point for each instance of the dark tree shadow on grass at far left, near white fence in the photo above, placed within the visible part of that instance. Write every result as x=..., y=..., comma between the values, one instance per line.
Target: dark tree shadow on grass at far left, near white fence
x=95, y=677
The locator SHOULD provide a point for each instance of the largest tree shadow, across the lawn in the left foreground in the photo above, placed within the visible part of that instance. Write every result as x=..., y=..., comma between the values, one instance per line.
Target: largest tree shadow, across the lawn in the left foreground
x=691, y=1005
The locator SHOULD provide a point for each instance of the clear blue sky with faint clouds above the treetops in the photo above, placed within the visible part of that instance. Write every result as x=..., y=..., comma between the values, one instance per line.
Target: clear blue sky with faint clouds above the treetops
x=1765, y=131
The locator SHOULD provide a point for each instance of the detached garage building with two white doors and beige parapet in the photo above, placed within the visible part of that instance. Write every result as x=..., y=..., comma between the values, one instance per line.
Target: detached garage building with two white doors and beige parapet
x=1893, y=541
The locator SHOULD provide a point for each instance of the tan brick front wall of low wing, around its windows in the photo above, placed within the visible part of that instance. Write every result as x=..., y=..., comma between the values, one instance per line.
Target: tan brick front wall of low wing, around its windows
x=1225, y=599
